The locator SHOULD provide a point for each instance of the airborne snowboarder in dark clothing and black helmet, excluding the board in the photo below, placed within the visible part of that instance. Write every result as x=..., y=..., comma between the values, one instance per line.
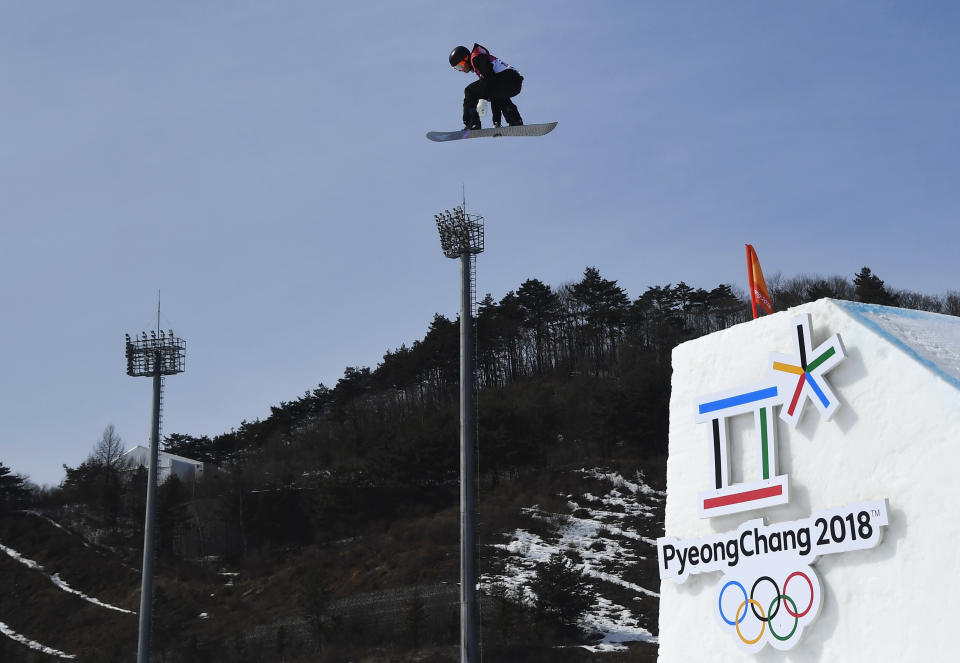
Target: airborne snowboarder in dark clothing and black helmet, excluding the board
x=498, y=83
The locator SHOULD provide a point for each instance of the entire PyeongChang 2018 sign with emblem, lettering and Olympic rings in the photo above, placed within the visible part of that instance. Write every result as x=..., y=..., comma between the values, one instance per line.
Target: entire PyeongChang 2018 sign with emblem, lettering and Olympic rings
x=769, y=592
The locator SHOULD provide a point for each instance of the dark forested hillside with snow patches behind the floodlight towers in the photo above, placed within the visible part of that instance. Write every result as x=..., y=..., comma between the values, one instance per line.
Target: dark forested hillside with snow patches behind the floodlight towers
x=331, y=525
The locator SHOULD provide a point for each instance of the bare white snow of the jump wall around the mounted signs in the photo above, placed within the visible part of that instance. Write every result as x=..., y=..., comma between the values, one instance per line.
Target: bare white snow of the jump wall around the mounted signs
x=896, y=435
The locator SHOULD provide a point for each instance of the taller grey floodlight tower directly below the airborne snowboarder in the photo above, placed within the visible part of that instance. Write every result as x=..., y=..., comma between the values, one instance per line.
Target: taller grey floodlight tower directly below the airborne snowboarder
x=461, y=236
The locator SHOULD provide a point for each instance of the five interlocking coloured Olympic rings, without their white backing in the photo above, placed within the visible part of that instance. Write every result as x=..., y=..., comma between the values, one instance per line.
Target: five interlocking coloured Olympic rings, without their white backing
x=765, y=613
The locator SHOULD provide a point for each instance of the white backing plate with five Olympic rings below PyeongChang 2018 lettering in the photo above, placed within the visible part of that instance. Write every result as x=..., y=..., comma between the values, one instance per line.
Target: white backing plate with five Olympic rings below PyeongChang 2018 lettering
x=768, y=608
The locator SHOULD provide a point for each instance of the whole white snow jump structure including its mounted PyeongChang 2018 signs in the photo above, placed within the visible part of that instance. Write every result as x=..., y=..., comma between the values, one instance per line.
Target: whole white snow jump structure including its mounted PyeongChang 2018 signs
x=860, y=431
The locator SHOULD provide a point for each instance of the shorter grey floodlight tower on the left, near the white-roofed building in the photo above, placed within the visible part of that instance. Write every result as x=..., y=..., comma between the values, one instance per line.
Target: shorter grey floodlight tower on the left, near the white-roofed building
x=157, y=356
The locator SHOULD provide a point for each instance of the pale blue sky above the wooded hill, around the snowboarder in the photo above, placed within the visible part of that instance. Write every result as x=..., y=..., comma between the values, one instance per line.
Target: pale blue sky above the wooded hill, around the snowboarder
x=263, y=165
